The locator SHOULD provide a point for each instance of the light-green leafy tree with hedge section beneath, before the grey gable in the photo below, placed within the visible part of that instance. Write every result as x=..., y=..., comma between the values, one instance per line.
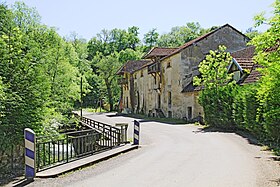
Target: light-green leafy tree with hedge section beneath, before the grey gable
x=216, y=96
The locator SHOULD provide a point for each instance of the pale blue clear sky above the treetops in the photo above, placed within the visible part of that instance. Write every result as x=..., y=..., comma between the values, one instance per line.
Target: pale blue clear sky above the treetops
x=89, y=17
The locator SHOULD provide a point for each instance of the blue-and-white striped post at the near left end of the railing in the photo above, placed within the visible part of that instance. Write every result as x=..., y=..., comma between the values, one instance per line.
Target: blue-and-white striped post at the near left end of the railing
x=30, y=153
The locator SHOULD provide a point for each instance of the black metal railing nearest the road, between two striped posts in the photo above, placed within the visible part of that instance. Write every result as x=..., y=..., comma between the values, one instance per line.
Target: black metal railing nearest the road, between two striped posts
x=73, y=145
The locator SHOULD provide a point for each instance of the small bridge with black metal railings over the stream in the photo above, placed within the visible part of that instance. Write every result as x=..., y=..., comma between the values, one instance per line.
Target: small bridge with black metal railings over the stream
x=93, y=140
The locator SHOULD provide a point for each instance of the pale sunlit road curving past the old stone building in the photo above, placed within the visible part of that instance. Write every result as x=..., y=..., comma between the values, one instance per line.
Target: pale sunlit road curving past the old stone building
x=178, y=155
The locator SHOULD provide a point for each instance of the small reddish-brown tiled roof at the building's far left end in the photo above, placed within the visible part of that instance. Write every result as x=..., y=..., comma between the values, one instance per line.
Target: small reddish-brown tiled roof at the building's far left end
x=132, y=66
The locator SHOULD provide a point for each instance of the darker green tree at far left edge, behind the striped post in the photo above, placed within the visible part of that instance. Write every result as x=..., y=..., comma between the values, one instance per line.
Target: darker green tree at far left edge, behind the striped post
x=24, y=101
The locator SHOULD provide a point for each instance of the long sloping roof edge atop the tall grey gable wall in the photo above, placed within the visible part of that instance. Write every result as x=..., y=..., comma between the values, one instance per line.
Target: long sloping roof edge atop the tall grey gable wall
x=198, y=39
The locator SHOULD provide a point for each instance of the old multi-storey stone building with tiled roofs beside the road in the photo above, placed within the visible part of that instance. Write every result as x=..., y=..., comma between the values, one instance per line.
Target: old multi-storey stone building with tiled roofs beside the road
x=161, y=84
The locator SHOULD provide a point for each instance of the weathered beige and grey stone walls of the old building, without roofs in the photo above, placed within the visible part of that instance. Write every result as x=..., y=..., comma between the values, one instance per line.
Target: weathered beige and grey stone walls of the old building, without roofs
x=177, y=71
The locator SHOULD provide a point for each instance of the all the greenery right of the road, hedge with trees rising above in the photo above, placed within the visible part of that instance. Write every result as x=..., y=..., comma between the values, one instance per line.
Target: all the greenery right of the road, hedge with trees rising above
x=254, y=107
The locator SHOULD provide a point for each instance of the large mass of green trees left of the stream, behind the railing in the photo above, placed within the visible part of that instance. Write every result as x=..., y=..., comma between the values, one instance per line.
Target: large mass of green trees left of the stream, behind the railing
x=39, y=78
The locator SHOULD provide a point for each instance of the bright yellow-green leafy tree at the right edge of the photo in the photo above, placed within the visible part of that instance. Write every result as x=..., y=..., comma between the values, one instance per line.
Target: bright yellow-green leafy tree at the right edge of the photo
x=268, y=55
